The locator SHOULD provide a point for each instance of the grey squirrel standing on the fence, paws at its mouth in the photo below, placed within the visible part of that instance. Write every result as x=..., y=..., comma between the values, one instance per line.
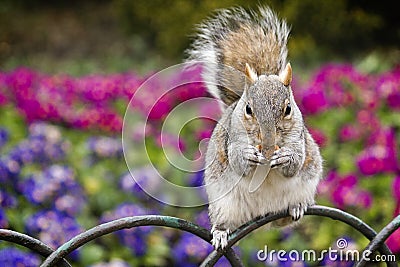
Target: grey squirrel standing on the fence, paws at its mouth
x=260, y=158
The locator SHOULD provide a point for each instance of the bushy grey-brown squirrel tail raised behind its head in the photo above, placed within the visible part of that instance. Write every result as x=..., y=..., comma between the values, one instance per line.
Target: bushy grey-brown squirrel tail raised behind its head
x=230, y=39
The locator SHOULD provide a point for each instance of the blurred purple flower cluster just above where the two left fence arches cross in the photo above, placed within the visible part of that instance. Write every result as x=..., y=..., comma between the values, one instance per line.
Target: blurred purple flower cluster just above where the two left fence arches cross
x=52, y=227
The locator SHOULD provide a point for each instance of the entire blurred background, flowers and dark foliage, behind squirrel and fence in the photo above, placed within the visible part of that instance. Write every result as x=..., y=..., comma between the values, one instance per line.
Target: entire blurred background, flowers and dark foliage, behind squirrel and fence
x=69, y=68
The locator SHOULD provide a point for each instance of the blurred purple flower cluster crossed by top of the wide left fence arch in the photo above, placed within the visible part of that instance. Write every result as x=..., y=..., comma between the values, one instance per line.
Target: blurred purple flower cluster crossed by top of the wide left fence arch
x=135, y=238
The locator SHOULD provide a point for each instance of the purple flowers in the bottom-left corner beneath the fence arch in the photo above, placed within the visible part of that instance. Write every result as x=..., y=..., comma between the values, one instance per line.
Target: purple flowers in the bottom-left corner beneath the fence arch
x=15, y=257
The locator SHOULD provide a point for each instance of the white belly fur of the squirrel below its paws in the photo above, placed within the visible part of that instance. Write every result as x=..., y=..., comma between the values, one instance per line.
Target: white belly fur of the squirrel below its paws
x=275, y=194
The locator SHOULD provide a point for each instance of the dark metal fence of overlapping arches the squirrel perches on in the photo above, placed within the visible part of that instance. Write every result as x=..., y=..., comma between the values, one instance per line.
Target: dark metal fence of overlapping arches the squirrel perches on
x=53, y=257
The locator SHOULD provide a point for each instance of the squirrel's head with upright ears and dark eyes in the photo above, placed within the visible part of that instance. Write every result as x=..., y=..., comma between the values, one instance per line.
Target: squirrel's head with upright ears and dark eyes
x=268, y=102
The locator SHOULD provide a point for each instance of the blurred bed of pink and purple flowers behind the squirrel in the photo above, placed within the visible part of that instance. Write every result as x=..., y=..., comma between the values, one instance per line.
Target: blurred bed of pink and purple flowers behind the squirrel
x=62, y=168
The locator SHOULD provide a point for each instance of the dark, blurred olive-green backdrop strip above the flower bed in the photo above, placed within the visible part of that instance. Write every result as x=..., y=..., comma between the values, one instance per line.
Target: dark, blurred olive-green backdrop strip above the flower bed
x=85, y=36
